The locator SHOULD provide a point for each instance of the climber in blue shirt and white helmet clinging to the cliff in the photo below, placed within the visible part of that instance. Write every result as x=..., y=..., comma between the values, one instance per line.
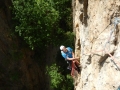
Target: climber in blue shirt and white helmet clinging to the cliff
x=69, y=56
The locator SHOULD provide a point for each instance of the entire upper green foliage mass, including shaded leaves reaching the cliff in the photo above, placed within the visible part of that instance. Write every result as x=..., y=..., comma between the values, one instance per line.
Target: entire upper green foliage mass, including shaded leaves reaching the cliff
x=42, y=22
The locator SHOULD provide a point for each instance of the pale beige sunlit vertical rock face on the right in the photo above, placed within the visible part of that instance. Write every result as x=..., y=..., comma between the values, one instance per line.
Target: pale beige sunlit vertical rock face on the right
x=97, y=43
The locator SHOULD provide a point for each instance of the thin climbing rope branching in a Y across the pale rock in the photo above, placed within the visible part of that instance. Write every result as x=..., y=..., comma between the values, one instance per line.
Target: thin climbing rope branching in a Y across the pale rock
x=115, y=22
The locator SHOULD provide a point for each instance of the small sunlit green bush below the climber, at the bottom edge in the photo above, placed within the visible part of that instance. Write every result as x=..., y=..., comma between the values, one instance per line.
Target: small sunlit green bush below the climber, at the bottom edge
x=59, y=81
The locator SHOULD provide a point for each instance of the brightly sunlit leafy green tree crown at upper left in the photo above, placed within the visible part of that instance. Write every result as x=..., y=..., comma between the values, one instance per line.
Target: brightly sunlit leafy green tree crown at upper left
x=35, y=21
